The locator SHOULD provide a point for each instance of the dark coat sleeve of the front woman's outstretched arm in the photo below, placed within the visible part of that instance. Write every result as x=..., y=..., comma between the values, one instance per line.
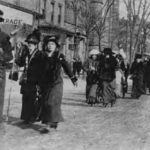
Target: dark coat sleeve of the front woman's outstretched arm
x=66, y=66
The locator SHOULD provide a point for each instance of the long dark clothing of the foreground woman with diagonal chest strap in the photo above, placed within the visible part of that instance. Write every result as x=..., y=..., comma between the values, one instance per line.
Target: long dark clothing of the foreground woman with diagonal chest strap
x=33, y=69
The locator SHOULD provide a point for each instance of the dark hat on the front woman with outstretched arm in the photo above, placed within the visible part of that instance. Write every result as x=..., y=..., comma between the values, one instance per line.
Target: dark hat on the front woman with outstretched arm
x=52, y=38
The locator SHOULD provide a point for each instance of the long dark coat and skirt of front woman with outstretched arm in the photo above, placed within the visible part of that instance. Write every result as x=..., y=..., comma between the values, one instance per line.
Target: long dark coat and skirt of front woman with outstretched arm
x=52, y=87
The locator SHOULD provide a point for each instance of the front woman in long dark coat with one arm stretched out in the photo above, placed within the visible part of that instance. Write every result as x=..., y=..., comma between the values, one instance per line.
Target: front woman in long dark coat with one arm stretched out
x=52, y=84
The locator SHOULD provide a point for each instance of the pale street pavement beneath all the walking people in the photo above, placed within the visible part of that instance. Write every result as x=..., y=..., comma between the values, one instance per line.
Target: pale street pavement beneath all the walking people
x=126, y=126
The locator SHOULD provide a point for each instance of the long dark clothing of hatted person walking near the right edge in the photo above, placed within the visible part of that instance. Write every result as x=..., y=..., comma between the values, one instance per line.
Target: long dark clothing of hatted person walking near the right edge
x=137, y=70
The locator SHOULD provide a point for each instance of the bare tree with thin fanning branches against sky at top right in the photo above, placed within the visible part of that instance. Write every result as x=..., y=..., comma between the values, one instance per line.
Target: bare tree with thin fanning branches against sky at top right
x=138, y=12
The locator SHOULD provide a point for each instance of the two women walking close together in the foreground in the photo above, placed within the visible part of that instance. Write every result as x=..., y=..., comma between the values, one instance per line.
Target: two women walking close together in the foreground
x=42, y=79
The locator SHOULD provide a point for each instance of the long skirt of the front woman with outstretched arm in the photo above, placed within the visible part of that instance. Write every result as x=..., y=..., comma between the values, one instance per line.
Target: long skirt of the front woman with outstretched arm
x=52, y=98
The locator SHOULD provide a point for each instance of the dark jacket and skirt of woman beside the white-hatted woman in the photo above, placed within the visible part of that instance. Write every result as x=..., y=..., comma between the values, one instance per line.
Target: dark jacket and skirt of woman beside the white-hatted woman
x=106, y=70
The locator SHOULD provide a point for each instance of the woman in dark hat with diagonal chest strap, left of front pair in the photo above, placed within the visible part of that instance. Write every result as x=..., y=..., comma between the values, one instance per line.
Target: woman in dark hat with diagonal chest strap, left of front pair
x=31, y=59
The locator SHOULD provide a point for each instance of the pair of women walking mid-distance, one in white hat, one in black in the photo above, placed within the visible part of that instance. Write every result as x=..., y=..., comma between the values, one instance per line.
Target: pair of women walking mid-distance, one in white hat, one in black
x=101, y=76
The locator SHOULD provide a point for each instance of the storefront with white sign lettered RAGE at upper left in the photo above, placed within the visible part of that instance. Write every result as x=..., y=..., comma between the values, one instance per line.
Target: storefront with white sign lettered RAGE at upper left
x=16, y=18
